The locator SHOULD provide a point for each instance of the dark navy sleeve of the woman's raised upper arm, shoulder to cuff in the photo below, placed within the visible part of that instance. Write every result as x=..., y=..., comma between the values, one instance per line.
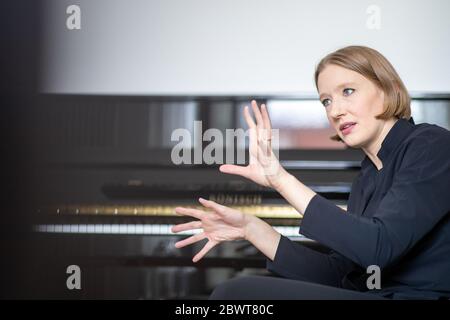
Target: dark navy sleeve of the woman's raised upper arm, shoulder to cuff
x=417, y=200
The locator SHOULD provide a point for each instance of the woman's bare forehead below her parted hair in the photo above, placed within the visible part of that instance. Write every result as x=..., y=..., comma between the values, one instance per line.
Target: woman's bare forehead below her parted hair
x=333, y=76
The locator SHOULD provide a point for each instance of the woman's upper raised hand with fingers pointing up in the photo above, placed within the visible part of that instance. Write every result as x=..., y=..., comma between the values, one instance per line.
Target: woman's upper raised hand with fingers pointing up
x=264, y=167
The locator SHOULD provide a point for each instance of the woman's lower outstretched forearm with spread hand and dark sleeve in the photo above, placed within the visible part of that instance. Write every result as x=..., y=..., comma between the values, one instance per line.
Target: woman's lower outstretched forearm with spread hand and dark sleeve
x=285, y=257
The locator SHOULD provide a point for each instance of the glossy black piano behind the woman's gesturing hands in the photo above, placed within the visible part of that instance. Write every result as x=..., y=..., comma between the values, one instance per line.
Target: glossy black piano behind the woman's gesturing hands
x=106, y=190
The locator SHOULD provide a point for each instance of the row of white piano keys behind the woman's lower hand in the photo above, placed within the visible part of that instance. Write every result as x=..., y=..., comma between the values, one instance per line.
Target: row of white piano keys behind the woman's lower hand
x=138, y=229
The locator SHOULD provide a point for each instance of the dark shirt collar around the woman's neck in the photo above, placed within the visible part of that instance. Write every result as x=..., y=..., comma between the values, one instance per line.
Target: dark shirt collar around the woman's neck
x=401, y=129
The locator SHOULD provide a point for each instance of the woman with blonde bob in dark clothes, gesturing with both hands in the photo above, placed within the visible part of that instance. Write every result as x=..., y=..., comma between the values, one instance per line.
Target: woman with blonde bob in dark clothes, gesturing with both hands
x=398, y=212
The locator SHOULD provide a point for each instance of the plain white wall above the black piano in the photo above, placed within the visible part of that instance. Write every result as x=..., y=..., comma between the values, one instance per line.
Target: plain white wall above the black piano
x=247, y=47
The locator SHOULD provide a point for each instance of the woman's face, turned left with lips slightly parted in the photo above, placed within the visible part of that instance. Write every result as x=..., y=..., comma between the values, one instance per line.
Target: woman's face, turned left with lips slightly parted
x=348, y=97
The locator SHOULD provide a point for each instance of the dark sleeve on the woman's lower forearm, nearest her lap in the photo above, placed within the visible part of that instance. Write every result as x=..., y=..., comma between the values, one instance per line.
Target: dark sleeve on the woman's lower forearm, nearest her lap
x=295, y=261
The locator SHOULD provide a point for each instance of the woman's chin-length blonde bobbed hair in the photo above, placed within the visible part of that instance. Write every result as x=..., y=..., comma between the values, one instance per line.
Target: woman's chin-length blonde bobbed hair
x=375, y=67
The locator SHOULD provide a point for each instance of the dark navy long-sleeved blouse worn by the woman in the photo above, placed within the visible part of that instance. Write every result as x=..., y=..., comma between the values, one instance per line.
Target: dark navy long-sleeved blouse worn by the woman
x=397, y=218
